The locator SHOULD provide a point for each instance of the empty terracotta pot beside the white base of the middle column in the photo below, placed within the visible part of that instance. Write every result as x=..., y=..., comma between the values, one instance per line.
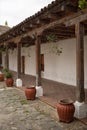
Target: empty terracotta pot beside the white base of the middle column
x=30, y=93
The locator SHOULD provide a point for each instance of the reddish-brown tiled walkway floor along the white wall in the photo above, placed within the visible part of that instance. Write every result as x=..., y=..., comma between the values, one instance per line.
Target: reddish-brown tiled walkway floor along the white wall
x=53, y=91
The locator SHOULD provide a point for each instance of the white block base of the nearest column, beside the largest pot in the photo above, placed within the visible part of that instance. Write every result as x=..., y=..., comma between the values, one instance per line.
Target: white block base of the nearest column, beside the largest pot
x=80, y=110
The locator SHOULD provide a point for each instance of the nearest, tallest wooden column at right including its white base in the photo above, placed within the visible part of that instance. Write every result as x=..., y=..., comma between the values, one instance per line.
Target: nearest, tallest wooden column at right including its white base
x=80, y=106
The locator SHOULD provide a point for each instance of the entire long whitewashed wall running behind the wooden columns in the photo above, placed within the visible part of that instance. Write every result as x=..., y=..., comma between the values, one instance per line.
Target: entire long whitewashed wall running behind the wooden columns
x=58, y=68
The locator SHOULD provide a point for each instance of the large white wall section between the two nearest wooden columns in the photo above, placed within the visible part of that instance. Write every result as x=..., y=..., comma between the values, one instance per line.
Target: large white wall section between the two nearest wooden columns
x=61, y=67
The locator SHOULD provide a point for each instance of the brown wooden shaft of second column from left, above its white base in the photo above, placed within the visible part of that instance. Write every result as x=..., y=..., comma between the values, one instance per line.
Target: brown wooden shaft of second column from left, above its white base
x=18, y=60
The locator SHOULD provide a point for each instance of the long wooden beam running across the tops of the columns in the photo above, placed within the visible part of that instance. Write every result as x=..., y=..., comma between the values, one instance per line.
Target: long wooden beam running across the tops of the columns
x=58, y=22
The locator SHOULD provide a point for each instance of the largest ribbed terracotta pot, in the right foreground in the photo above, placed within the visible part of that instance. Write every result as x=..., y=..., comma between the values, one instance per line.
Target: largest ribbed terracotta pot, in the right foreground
x=66, y=109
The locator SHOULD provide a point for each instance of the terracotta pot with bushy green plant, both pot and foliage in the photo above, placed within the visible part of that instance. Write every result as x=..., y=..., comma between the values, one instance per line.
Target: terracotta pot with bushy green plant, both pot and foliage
x=9, y=79
